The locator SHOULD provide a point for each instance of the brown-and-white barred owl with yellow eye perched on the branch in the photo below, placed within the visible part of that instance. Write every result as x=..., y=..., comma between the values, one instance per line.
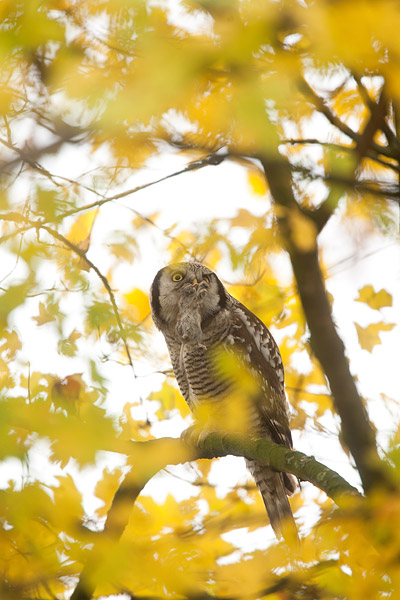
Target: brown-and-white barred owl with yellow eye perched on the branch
x=203, y=325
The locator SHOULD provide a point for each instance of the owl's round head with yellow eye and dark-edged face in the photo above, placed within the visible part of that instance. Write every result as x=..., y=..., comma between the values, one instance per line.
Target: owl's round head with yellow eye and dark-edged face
x=178, y=281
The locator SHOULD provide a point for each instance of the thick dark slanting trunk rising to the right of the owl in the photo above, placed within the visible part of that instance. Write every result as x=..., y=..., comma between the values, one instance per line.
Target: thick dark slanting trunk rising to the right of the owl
x=327, y=346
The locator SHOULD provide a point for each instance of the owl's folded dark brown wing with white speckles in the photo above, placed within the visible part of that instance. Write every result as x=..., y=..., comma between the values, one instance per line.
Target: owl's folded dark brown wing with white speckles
x=261, y=354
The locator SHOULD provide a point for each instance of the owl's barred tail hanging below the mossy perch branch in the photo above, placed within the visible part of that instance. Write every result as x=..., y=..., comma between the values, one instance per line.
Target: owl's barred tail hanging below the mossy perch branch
x=274, y=488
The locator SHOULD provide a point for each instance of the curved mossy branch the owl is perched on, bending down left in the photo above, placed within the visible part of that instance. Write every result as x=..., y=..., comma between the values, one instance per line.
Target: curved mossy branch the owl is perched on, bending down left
x=150, y=457
